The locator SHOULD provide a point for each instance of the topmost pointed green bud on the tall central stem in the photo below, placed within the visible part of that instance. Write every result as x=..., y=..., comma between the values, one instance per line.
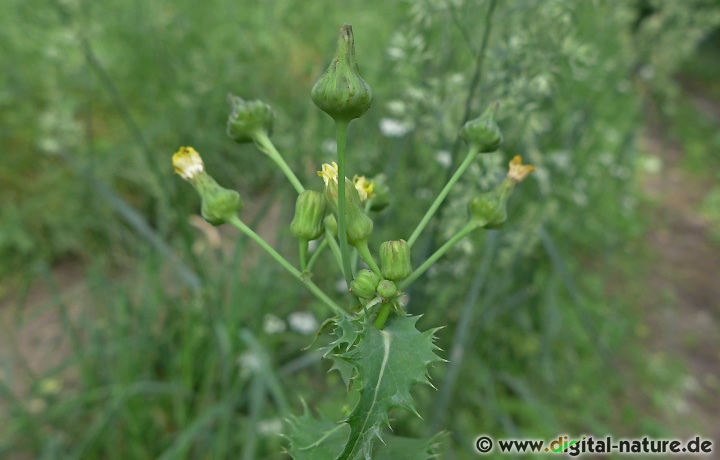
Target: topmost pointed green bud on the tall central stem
x=341, y=92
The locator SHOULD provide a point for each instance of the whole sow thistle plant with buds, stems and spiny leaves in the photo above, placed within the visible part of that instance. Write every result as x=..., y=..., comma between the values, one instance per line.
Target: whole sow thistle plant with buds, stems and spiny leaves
x=375, y=345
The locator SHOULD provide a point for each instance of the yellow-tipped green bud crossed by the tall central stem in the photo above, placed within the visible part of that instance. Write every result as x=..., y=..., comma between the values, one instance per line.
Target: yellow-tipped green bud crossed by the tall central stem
x=359, y=225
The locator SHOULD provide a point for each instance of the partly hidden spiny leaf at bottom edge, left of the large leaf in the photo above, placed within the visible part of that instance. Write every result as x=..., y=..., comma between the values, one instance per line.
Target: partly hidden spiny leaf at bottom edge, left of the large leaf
x=315, y=439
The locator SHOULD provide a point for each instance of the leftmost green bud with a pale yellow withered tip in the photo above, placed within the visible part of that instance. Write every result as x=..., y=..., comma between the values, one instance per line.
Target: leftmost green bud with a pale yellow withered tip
x=219, y=204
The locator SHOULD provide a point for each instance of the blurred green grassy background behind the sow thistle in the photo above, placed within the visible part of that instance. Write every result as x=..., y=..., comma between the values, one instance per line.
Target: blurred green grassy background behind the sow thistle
x=132, y=332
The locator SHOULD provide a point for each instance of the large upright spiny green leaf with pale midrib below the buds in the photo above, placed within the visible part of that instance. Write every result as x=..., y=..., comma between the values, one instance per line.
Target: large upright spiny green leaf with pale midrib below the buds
x=388, y=363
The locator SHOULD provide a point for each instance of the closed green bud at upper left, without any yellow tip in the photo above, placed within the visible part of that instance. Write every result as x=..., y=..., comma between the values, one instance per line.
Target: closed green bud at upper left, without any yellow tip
x=247, y=118
